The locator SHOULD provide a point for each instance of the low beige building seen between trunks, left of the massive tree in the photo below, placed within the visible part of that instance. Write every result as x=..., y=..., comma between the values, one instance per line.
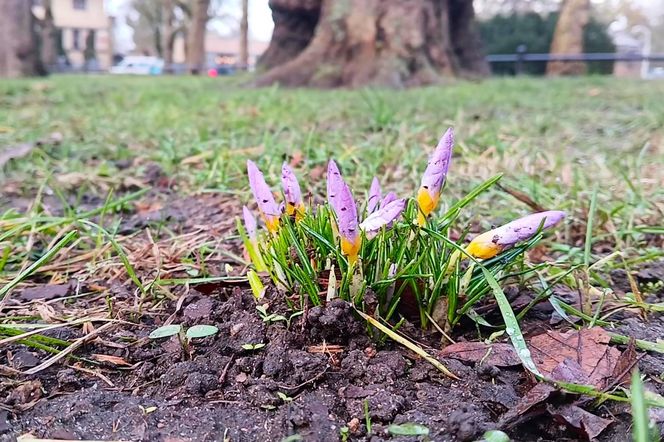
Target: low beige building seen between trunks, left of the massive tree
x=221, y=50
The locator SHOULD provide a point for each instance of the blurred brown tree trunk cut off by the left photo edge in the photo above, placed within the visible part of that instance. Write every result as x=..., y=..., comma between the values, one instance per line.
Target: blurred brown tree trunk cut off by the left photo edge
x=18, y=40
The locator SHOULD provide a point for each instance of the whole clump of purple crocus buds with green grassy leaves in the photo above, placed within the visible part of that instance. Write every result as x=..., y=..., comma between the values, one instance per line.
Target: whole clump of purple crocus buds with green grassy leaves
x=371, y=249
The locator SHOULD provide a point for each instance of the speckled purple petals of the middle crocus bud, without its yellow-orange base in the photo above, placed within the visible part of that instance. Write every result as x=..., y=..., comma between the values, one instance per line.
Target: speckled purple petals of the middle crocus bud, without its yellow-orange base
x=341, y=199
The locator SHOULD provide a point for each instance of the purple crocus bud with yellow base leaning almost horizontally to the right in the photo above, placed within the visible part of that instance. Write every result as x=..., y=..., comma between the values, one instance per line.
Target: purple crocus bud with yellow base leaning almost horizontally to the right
x=489, y=244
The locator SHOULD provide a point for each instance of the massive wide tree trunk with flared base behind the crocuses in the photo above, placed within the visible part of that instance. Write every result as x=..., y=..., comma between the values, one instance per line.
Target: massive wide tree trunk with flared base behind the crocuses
x=332, y=43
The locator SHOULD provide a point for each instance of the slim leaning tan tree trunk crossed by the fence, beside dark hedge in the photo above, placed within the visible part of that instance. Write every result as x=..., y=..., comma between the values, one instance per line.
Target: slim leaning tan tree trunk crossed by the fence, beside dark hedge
x=568, y=37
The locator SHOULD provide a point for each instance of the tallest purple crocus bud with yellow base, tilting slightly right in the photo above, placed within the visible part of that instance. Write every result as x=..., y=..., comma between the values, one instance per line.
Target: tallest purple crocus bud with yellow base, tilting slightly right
x=434, y=176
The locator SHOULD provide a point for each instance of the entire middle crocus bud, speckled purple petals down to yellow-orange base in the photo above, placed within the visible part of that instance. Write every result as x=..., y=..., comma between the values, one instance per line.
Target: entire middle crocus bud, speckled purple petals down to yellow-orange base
x=341, y=199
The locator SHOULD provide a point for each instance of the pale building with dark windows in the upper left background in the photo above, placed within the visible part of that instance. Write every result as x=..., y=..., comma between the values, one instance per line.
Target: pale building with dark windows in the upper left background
x=84, y=33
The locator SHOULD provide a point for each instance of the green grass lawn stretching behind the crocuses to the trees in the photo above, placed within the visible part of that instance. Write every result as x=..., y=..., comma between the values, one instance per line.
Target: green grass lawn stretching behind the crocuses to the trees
x=554, y=140
